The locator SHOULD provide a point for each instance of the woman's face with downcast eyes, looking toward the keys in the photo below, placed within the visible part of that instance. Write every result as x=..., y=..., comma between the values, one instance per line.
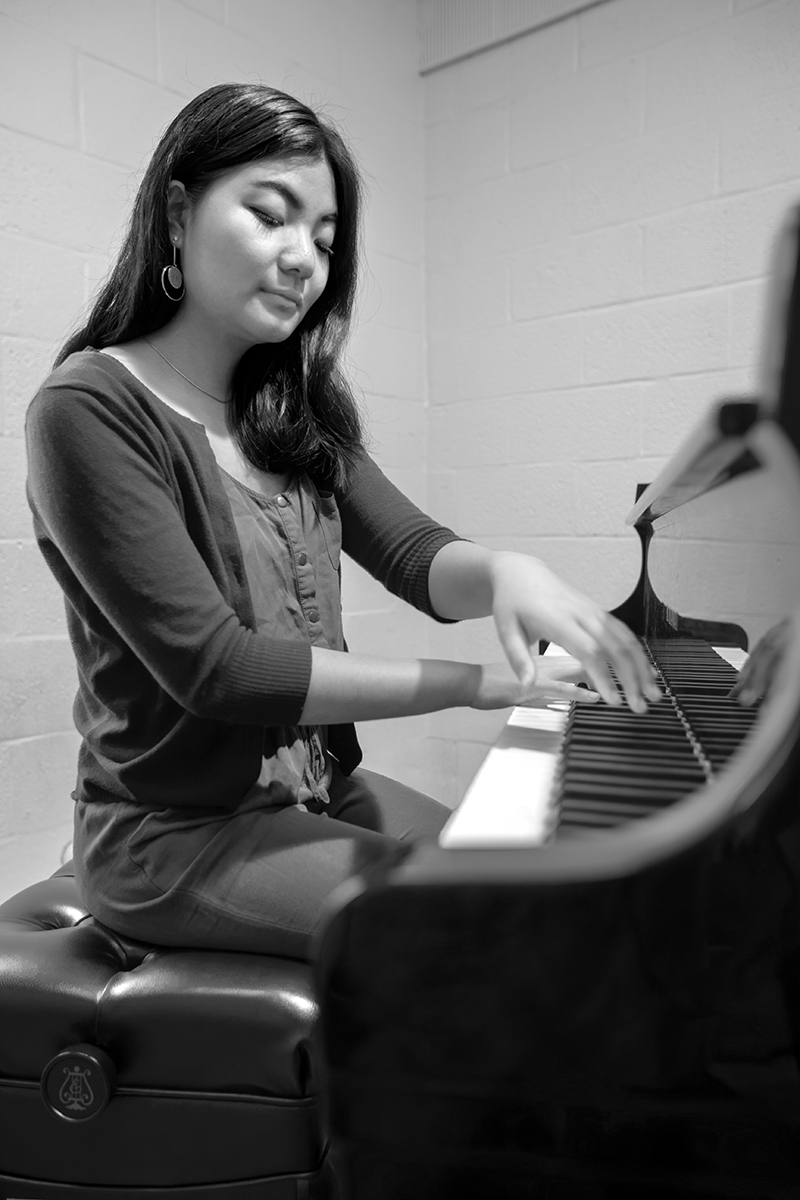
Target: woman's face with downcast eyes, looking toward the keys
x=256, y=249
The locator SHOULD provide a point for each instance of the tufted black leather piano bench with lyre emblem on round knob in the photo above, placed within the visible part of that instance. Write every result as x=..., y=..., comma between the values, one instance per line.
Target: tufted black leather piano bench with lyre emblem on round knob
x=130, y=1070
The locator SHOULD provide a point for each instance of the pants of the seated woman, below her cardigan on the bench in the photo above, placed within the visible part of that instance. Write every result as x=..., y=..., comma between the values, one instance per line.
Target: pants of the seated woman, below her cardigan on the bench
x=257, y=880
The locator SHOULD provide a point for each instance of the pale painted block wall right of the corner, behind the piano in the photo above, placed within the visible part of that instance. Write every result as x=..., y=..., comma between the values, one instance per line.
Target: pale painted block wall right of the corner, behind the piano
x=601, y=200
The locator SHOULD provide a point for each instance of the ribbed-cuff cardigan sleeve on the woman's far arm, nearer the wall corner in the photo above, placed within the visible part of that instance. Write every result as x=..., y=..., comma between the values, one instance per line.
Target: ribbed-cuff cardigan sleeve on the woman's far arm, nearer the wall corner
x=390, y=537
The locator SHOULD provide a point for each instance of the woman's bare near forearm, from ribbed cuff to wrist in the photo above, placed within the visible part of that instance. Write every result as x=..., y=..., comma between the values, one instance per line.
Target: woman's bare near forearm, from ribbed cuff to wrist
x=360, y=688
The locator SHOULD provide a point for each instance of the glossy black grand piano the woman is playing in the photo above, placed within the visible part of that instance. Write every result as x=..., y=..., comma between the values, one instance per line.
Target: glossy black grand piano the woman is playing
x=591, y=987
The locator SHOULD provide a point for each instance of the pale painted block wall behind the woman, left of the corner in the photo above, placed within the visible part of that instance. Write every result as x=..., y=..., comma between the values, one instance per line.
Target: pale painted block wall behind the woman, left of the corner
x=87, y=87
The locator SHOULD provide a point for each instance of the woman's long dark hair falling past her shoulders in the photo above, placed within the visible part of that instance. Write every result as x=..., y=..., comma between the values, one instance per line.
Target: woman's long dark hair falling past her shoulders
x=292, y=407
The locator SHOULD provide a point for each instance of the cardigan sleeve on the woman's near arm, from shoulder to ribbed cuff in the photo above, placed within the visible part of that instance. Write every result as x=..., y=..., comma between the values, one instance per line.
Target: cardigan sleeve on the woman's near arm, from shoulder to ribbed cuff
x=143, y=596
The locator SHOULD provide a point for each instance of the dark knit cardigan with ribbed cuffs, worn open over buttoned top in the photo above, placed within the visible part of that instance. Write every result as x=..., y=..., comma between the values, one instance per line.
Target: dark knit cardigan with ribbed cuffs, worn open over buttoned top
x=175, y=683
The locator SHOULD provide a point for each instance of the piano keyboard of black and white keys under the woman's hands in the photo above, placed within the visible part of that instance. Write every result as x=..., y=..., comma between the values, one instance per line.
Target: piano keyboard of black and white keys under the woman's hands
x=573, y=769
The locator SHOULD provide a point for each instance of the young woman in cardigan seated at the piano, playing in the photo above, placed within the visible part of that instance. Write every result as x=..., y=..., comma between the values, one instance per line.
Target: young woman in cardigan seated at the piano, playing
x=196, y=467
